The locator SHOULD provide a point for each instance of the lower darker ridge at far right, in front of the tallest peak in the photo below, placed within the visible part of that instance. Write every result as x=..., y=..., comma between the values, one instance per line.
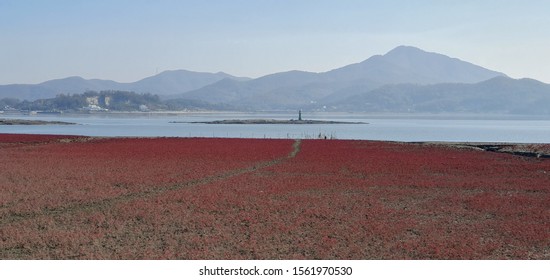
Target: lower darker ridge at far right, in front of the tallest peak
x=499, y=95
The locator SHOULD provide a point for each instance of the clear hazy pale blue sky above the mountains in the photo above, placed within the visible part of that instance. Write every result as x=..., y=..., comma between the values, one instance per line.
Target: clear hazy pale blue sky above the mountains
x=126, y=40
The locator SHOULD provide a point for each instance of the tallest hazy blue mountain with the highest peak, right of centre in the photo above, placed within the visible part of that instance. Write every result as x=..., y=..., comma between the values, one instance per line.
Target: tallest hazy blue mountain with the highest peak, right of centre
x=298, y=89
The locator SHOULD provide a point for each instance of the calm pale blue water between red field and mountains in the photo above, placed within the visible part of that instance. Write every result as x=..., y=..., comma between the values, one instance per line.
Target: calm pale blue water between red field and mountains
x=379, y=127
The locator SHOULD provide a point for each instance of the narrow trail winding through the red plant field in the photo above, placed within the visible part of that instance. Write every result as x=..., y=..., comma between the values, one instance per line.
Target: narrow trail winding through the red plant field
x=149, y=193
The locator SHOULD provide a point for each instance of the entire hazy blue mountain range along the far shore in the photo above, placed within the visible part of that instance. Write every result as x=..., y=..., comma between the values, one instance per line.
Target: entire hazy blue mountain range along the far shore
x=406, y=79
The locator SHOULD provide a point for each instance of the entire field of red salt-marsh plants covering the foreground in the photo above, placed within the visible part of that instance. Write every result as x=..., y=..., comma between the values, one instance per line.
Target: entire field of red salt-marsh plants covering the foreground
x=67, y=197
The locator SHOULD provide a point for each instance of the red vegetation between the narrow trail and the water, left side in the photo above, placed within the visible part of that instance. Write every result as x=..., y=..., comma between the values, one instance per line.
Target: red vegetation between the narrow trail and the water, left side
x=55, y=174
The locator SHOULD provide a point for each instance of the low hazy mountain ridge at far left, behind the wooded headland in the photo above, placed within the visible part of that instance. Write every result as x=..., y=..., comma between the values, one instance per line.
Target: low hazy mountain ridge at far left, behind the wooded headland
x=163, y=84
